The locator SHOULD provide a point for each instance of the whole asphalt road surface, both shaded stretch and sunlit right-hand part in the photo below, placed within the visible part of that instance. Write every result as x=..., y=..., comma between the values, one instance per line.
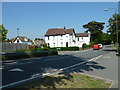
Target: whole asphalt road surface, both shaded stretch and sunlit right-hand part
x=101, y=63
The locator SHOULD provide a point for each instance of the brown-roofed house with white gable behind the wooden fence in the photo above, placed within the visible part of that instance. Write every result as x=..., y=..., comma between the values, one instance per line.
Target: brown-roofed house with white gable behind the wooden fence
x=21, y=39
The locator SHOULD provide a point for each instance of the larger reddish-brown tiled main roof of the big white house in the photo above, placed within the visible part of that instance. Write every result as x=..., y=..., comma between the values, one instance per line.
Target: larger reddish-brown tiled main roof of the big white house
x=59, y=31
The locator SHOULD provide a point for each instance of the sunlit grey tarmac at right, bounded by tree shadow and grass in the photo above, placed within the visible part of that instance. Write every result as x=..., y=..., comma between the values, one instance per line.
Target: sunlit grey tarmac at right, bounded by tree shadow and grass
x=110, y=62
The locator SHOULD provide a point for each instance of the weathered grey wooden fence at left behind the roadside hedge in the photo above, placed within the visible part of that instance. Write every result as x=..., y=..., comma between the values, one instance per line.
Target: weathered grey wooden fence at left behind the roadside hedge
x=10, y=47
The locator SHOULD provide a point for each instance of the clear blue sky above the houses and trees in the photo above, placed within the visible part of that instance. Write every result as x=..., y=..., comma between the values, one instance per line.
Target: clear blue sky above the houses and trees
x=34, y=18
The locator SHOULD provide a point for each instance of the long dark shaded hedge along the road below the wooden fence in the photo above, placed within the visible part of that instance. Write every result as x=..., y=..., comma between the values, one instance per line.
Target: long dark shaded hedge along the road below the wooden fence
x=20, y=55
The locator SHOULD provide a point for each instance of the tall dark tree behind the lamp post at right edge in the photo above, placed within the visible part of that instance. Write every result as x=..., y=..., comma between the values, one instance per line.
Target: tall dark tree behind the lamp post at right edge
x=112, y=27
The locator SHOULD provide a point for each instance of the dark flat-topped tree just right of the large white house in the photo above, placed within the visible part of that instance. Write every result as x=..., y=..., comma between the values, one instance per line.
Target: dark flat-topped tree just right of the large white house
x=95, y=28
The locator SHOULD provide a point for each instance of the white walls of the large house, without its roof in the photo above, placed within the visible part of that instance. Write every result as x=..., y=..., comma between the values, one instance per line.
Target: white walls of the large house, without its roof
x=61, y=40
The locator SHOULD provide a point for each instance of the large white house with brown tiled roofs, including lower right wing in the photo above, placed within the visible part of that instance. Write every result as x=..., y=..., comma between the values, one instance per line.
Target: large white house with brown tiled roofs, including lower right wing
x=62, y=37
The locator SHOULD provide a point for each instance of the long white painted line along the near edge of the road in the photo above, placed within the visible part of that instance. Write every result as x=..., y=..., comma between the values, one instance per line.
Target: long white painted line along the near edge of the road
x=14, y=83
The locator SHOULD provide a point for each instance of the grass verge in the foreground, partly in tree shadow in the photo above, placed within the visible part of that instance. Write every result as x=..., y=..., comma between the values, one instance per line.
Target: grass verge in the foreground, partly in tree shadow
x=73, y=80
